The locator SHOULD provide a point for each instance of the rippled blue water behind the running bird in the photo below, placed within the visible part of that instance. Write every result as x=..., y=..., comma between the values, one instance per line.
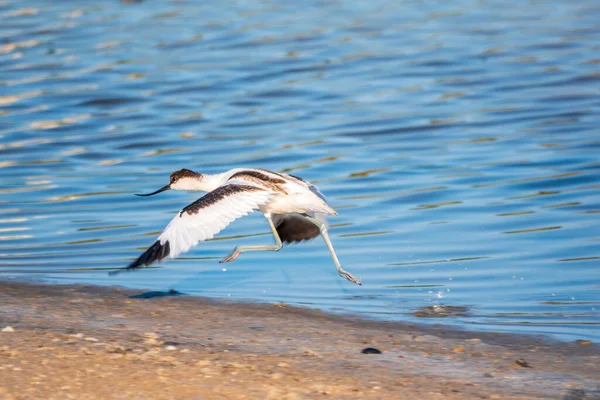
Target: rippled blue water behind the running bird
x=458, y=141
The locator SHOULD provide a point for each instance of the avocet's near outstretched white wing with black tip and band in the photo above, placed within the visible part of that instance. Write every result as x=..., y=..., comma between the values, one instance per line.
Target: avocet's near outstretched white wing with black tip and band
x=202, y=220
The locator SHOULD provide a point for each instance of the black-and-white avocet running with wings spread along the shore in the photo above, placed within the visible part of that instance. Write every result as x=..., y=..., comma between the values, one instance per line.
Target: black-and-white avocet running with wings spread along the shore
x=294, y=209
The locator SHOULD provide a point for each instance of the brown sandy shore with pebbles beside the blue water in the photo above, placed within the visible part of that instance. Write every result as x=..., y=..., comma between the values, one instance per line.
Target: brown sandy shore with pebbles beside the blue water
x=81, y=342
